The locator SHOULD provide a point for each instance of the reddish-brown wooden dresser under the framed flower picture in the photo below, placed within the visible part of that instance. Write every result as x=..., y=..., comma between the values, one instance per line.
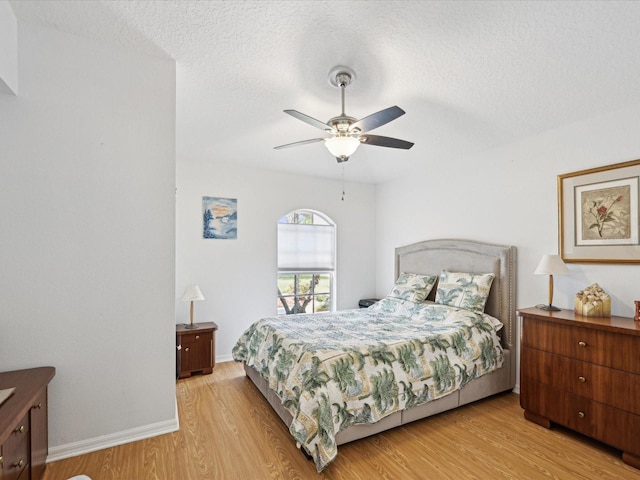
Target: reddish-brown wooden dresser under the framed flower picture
x=583, y=373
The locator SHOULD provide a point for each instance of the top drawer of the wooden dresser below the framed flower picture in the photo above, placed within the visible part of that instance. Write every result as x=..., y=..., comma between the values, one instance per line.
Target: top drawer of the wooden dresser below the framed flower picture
x=586, y=344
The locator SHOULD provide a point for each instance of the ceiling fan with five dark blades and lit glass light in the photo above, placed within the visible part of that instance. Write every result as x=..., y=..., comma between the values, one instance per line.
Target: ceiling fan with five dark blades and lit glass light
x=347, y=133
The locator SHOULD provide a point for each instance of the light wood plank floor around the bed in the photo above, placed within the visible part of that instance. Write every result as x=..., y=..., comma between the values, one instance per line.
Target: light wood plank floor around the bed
x=228, y=431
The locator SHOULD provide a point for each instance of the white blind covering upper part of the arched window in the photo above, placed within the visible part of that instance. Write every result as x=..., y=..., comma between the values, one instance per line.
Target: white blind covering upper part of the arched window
x=306, y=247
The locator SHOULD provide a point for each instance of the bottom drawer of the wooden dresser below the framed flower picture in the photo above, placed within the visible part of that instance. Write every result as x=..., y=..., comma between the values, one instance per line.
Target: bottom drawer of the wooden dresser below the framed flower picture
x=610, y=425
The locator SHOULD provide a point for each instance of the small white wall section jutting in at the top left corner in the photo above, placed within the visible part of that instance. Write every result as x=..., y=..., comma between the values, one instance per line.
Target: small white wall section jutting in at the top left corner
x=8, y=49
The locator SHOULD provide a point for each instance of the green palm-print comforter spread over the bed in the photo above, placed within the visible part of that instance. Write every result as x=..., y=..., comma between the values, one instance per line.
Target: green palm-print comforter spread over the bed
x=334, y=370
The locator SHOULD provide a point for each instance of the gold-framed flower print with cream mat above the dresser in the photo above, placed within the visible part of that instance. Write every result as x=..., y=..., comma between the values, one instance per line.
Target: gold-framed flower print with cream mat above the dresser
x=598, y=220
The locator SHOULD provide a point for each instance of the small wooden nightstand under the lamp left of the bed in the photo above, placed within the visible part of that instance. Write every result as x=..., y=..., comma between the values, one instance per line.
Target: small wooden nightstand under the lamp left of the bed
x=195, y=349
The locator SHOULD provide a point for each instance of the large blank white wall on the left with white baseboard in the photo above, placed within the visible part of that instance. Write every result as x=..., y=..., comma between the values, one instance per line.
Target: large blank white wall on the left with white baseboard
x=87, y=188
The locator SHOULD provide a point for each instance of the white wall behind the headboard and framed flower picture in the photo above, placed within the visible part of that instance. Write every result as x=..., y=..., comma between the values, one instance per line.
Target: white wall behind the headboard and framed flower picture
x=508, y=195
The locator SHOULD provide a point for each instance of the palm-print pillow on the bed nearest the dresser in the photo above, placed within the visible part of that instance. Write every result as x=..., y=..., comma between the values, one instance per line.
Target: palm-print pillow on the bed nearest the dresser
x=465, y=290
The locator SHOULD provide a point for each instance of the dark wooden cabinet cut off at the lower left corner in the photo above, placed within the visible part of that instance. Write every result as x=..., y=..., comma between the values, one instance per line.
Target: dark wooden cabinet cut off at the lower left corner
x=24, y=433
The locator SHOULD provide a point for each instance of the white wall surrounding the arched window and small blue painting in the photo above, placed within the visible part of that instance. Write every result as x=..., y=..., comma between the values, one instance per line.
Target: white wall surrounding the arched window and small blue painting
x=238, y=277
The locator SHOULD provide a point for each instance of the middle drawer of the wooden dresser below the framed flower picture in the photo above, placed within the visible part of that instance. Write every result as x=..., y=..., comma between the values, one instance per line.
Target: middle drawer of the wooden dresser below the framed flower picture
x=602, y=384
